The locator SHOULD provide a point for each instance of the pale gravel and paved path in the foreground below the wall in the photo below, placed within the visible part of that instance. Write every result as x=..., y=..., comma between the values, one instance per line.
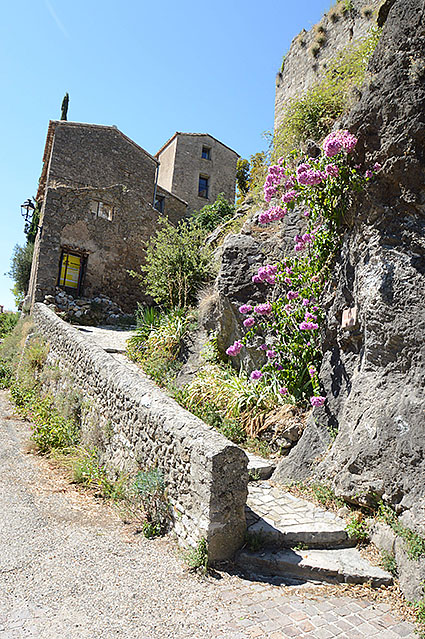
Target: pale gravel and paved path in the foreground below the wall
x=70, y=569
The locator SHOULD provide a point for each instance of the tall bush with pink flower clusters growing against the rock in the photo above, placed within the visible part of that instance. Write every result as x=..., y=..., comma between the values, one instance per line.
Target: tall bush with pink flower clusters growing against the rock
x=289, y=321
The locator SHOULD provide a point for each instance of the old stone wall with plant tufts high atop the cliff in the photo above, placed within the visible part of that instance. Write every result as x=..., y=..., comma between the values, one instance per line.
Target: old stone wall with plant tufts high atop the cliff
x=337, y=29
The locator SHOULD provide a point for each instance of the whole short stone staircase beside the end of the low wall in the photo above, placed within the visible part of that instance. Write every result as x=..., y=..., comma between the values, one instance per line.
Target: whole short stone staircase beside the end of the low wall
x=294, y=541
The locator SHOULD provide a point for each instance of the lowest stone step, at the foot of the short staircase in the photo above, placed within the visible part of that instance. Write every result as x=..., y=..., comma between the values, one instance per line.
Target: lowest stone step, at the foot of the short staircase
x=344, y=565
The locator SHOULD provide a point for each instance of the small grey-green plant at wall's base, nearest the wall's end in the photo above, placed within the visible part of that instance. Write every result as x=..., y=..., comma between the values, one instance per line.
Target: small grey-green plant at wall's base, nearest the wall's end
x=149, y=488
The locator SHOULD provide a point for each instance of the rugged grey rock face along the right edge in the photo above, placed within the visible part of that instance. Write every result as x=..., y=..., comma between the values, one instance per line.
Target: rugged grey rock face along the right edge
x=373, y=373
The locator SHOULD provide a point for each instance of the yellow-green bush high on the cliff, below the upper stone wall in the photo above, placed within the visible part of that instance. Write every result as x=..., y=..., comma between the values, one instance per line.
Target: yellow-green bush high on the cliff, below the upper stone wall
x=312, y=115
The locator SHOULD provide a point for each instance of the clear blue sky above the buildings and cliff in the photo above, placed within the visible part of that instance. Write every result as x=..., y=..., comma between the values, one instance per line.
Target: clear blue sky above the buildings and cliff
x=150, y=68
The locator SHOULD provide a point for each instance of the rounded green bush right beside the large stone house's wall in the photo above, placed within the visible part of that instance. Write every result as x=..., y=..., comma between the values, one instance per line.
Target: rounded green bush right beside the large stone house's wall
x=177, y=263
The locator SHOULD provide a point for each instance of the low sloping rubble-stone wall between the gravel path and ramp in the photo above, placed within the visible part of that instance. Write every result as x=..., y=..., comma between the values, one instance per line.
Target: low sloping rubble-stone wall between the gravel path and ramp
x=137, y=426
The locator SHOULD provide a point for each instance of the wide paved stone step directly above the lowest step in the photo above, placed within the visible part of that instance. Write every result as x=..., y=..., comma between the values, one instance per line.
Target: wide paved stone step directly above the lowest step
x=279, y=519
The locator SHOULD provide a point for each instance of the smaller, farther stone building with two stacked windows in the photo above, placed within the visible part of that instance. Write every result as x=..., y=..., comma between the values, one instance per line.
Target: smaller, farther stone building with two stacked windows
x=197, y=167
